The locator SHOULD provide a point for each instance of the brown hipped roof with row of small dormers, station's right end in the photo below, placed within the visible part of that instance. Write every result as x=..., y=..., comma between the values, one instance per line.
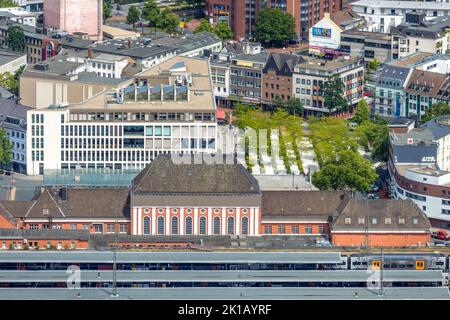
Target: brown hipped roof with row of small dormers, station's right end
x=380, y=209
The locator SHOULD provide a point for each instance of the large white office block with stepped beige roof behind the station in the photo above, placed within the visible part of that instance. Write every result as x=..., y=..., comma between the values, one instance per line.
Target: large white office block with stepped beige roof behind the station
x=168, y=108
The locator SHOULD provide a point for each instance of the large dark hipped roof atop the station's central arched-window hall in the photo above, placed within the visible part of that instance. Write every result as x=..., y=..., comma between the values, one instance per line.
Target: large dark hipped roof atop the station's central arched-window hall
x=164, y=176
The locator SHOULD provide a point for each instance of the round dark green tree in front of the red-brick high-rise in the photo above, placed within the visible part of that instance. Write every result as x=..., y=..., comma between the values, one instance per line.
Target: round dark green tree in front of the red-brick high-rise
x=275, y=27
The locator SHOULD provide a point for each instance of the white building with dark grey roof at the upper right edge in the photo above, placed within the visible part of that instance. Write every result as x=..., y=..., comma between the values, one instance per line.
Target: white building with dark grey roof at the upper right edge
x=417, y=34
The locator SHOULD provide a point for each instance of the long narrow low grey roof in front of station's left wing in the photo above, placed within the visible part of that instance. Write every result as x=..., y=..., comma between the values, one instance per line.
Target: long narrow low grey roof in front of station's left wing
x=50, y=234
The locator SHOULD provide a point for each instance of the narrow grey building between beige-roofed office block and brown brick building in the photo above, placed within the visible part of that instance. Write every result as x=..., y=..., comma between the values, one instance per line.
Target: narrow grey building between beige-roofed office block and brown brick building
x=246, y=74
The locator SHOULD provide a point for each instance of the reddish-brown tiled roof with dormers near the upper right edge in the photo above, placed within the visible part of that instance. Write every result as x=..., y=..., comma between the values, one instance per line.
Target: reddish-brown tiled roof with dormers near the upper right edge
x=425, y=83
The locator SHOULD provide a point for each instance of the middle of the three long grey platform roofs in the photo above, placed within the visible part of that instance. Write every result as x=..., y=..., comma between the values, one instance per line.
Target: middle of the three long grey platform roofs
x=222, y=276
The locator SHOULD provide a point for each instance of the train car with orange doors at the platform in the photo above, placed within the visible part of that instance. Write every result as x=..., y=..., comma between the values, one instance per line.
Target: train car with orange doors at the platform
x=399, y=261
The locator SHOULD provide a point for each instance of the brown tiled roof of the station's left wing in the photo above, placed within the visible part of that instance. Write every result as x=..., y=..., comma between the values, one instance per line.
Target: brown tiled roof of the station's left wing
x=79, y=203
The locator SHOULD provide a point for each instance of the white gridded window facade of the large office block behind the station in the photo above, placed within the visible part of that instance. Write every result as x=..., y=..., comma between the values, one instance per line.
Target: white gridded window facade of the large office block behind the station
x=66, y=143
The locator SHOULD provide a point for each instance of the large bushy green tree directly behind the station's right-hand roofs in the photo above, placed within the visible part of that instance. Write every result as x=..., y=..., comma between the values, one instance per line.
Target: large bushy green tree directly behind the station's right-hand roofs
x=348, y=170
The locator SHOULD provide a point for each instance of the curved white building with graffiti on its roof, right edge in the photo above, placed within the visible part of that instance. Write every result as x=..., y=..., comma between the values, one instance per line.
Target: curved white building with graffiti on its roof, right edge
x=418, y=166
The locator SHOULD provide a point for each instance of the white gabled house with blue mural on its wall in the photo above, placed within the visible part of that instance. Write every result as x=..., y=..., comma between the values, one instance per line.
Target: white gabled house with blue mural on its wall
x=325, y=37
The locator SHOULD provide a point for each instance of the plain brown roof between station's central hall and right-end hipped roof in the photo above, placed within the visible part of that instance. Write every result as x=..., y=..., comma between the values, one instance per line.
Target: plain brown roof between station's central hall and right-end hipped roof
x=300, y=204
